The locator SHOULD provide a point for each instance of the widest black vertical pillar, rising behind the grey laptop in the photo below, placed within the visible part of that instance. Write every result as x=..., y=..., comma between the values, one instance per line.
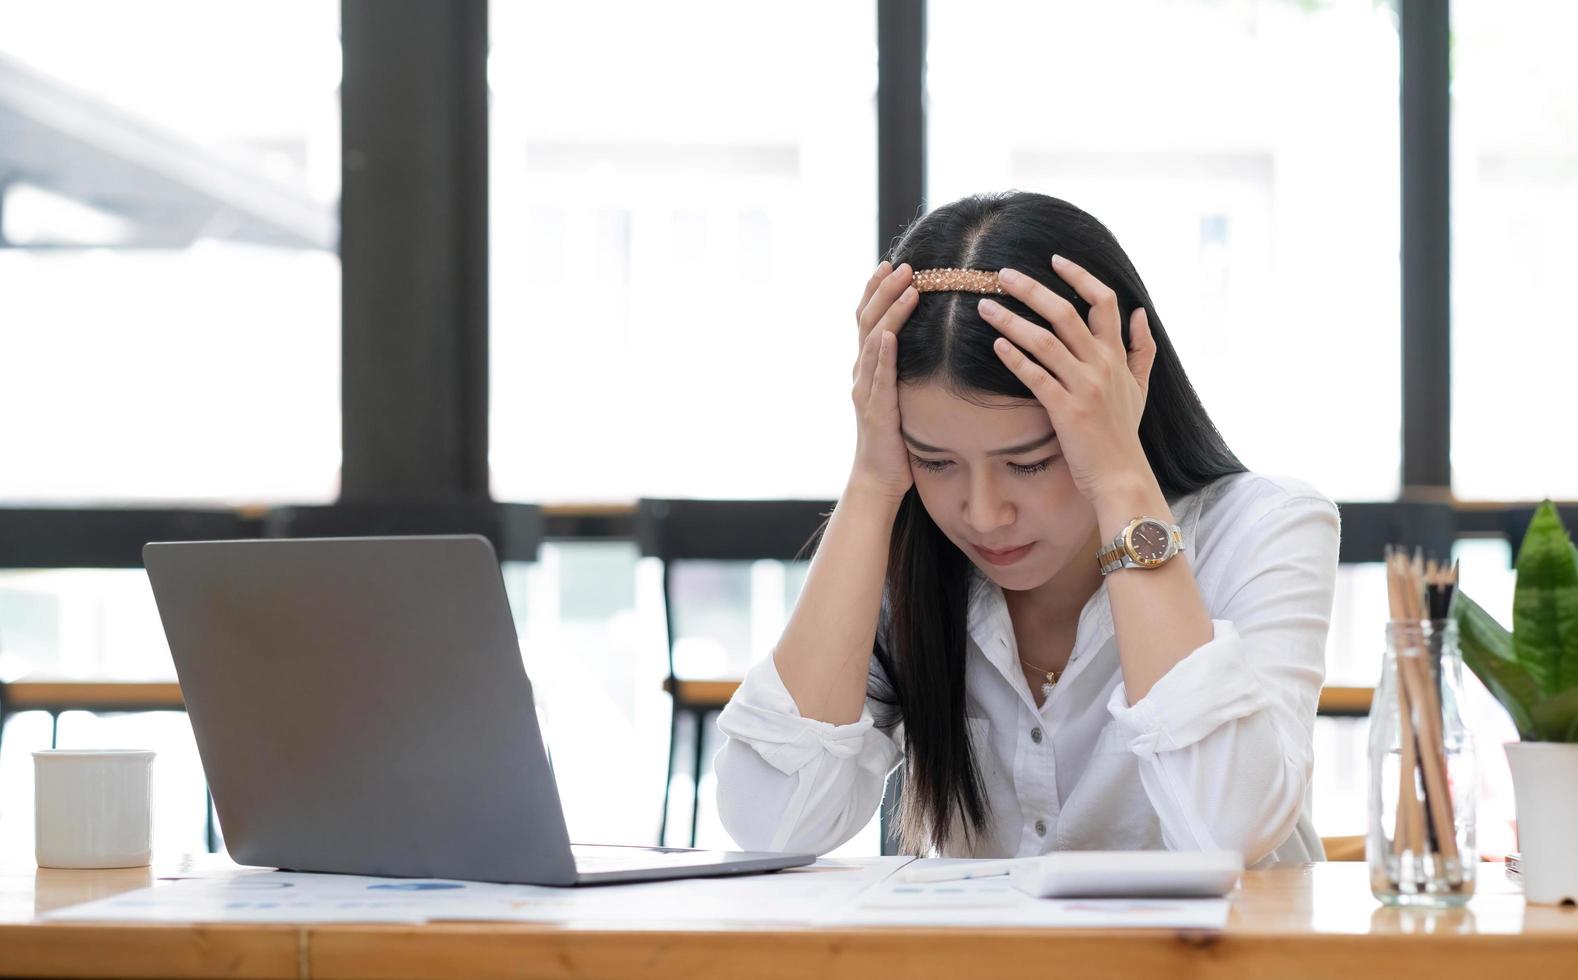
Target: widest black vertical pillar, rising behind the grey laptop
x=414, y=250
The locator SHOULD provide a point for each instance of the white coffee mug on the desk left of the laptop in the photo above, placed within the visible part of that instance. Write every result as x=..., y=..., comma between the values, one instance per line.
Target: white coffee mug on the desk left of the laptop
x=94, y=809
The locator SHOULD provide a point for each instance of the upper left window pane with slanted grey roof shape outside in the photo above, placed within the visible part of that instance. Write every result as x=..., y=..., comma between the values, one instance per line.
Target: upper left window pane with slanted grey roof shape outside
x=170, y=288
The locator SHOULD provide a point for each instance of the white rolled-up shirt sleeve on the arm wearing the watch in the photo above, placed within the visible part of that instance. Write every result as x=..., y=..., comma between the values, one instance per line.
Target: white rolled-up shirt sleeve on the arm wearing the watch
x=1225, y=738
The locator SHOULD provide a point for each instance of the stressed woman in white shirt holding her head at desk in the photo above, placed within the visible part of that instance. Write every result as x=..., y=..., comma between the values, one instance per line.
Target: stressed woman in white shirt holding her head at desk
x=967, y=612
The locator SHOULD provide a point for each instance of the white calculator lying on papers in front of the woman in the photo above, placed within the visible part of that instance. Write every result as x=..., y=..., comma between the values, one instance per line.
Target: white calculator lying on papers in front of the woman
x=1129, y=873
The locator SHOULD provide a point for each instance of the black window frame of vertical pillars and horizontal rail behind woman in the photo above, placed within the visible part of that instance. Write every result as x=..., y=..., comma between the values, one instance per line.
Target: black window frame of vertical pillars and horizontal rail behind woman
x=414, y=258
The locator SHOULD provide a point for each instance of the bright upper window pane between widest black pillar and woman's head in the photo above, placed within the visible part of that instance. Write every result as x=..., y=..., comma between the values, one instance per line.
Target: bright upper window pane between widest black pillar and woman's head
x=682, y=225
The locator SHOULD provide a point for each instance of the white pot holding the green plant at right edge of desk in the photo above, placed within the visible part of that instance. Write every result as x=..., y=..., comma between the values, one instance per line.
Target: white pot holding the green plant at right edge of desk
x=1546, y=785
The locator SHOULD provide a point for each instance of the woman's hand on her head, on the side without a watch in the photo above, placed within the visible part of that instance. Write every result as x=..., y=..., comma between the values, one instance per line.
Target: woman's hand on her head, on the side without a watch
x=881, y=457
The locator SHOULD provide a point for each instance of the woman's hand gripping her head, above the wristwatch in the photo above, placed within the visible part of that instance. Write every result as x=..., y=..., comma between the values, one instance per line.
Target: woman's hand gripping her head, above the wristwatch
x=1093, y=389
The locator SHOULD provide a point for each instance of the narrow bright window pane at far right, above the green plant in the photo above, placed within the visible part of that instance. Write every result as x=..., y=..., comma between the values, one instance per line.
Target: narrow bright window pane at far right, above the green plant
x=1514, y=212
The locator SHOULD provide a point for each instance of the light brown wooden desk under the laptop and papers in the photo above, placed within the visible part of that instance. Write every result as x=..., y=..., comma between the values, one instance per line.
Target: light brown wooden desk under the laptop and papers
x=1314, y=921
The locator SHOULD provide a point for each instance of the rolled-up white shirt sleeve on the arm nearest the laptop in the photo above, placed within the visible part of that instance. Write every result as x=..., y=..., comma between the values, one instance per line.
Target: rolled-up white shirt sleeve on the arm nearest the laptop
x=795, y=784
